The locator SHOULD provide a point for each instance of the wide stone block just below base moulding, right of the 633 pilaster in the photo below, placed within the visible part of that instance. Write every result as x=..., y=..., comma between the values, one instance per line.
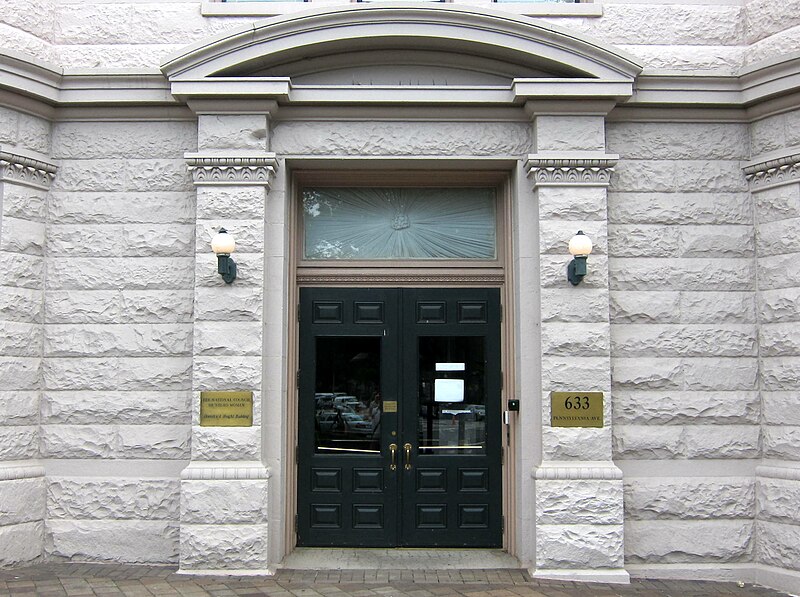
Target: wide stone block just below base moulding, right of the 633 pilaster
x=696, y=498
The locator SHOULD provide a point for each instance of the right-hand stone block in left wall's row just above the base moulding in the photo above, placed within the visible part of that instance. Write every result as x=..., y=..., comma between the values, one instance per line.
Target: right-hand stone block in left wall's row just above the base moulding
x=160, y=442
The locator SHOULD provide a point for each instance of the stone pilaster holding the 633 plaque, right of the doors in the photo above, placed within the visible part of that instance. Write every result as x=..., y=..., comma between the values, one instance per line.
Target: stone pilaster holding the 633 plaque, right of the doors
x=578, y=490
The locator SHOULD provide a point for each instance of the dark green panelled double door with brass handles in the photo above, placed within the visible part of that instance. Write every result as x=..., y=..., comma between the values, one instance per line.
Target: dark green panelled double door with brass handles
x=399, y=438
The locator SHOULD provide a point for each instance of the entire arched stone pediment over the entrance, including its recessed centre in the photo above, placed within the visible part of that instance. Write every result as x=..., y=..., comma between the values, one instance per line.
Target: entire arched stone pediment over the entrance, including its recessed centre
x=357, y=44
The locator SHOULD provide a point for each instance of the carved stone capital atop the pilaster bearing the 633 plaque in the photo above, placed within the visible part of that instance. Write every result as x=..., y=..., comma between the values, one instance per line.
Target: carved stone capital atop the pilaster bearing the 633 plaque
x=585, y=171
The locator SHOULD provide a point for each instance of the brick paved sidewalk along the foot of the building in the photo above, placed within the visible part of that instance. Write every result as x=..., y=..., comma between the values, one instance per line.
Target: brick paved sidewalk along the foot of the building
x=106, y=579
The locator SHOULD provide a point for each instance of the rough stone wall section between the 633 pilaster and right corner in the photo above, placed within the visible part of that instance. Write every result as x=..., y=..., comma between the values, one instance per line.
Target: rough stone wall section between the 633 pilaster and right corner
x=683, y=341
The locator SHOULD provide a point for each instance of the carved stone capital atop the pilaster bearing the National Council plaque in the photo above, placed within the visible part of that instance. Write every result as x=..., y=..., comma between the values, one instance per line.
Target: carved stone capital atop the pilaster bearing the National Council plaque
x=232, y=170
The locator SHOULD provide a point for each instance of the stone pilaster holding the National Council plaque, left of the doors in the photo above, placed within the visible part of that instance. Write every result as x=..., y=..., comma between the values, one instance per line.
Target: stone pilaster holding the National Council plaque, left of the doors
x=224, y=489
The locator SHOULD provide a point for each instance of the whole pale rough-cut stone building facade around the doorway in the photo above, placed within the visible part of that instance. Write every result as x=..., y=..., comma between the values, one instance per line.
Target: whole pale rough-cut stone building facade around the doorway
x=669, y=132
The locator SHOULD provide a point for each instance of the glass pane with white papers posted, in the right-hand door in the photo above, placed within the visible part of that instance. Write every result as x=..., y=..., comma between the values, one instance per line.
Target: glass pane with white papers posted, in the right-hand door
x=452, y=395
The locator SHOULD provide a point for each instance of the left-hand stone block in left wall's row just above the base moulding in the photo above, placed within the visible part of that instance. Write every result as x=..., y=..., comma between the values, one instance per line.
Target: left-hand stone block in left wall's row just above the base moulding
x=79, y=441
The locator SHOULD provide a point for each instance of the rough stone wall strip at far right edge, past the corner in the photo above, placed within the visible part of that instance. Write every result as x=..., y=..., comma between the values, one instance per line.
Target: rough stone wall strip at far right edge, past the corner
x=776, y=192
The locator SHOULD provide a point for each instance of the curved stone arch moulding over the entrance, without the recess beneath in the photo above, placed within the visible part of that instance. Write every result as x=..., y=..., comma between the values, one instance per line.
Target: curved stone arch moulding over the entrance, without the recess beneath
x=447, y=29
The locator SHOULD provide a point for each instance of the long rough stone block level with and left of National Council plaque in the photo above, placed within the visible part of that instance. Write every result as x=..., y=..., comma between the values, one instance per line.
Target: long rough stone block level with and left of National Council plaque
x=124, y=408
